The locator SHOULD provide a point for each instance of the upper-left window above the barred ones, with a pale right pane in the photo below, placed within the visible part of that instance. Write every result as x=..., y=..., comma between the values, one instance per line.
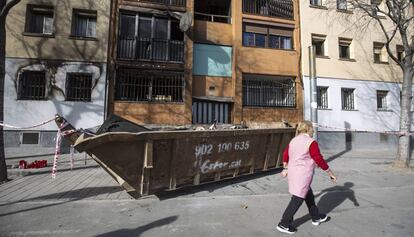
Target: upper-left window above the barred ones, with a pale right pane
x=39, y=20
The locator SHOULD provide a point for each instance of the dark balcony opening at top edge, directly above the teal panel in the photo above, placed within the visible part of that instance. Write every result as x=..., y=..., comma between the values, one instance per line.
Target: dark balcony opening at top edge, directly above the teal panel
x=214, y=10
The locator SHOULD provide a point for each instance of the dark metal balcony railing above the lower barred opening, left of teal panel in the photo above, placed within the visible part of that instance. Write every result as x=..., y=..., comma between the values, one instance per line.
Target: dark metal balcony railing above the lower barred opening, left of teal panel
x=132, y=48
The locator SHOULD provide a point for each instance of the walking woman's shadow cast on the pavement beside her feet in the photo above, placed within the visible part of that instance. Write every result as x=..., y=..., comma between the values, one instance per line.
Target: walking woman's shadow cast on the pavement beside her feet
x=331, y=198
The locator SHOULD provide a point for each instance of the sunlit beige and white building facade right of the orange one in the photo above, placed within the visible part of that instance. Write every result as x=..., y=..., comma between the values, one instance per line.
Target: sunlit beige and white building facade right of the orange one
x=358, y=83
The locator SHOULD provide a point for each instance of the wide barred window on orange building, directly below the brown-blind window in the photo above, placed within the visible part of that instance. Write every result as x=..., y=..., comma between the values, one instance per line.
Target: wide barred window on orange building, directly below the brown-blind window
x=268, y=91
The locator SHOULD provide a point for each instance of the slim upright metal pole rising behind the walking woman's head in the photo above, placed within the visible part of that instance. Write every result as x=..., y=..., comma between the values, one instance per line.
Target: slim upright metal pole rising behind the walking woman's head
x=313, y=91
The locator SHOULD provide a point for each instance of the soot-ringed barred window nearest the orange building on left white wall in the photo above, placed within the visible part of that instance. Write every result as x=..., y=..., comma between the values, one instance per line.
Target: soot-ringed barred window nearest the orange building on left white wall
x=78, y=87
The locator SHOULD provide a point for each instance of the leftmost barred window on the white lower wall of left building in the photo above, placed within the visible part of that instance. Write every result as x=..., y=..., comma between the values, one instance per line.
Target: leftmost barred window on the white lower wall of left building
x=32, y=85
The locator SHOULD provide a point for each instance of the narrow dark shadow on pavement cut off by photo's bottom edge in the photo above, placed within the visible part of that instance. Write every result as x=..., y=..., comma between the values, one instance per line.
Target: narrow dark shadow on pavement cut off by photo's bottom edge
x=138, y=231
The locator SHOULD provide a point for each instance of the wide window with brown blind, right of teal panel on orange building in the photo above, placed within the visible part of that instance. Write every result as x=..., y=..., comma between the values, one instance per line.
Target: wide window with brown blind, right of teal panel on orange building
x=264, y=36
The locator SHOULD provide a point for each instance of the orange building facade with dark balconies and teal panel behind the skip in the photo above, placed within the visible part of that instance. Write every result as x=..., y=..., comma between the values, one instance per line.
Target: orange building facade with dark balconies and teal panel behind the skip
x=194, y=62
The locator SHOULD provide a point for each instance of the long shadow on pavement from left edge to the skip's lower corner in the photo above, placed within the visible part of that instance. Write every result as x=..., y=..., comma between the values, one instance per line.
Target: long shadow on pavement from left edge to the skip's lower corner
x=72, y=195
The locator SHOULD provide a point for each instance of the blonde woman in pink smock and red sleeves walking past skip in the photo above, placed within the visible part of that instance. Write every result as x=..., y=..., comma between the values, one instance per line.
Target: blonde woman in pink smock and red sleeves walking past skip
x=299, y=161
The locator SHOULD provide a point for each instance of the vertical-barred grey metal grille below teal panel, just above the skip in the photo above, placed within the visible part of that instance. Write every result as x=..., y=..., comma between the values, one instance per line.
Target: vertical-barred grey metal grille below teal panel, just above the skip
x=206, y=112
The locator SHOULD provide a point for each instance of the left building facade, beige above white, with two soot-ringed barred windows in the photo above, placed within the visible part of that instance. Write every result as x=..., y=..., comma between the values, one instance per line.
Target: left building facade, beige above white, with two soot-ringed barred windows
x=56, y=53
